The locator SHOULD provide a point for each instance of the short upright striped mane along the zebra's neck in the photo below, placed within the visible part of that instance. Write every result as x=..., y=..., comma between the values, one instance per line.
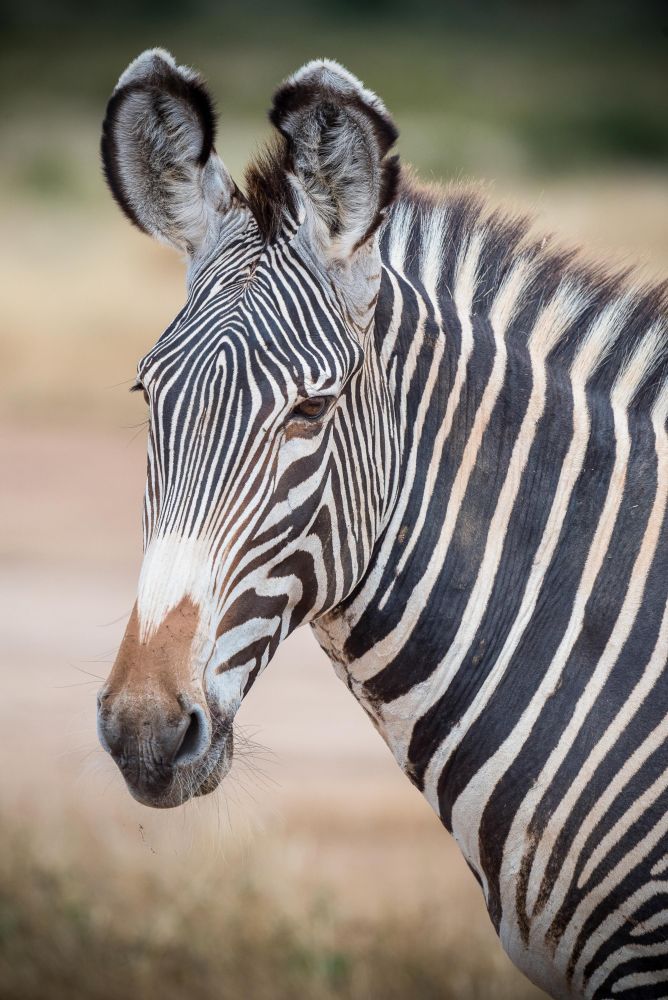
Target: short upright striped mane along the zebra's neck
x=429, y=229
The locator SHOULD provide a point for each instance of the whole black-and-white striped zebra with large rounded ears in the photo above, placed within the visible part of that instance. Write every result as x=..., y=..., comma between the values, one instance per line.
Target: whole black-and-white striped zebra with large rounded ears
x=389, y=411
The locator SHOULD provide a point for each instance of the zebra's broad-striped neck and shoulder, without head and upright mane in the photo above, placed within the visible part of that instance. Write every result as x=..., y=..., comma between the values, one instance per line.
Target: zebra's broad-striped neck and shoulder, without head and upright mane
x=510, y=637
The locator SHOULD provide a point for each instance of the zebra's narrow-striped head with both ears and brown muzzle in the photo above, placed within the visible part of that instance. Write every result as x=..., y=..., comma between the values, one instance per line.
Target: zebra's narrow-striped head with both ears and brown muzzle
x=271, y=447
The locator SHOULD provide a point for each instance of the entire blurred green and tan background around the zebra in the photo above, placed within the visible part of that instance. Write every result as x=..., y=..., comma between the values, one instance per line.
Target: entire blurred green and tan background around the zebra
x=317, y=871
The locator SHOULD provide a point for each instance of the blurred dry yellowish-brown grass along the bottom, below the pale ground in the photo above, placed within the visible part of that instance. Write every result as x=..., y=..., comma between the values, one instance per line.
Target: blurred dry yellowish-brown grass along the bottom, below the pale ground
x=99, y=929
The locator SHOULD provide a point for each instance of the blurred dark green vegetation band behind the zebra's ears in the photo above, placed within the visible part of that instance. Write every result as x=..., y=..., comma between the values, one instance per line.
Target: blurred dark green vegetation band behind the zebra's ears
x=492, y=88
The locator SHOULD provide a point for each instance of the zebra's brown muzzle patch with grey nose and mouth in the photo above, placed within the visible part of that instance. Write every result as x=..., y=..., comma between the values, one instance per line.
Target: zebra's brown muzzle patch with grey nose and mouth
x=153, y=716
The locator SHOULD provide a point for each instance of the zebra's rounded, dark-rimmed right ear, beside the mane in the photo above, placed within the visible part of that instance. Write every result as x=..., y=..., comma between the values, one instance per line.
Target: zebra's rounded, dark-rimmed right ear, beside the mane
x=338, y=134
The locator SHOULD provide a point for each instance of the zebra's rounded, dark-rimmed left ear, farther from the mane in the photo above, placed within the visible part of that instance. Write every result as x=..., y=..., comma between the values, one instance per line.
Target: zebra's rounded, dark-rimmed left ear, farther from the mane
x=158, y=154
